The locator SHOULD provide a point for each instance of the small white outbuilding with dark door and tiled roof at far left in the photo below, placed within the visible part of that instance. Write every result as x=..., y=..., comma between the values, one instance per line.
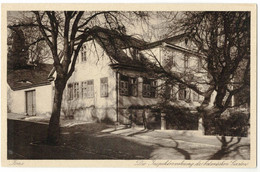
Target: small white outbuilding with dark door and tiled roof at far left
x=29, y=90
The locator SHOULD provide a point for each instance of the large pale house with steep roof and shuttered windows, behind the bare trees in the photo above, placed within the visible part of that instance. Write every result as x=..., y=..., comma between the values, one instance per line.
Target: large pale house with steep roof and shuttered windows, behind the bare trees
x=111, y=82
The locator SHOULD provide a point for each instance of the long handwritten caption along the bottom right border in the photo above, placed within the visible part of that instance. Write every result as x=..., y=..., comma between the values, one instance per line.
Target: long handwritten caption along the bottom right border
x=186, y=163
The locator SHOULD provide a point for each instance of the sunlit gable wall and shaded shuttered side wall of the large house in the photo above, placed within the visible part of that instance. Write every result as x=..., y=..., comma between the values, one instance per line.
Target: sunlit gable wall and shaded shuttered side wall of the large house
x=103, y=88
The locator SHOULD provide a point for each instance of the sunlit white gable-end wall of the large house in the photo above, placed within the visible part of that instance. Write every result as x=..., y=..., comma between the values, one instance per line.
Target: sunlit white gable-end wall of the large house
x=96, y=67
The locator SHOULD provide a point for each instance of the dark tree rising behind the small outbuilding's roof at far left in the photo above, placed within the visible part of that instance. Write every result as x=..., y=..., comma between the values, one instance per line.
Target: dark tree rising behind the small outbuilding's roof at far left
x=26, y=47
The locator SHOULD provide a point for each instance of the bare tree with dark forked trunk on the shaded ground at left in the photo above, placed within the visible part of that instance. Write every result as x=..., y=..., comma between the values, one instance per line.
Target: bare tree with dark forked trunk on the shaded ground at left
x=65, y=32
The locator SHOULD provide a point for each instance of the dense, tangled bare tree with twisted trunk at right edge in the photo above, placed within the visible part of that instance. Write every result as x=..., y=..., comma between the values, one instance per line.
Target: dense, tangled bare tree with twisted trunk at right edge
x=222, y=41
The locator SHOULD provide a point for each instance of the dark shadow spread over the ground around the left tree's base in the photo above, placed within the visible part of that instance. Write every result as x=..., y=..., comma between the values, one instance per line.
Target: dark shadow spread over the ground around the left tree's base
x=78, y=142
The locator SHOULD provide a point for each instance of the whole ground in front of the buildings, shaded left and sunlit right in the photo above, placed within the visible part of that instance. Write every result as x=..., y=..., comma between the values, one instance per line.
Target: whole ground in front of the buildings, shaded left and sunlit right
x=82, y=140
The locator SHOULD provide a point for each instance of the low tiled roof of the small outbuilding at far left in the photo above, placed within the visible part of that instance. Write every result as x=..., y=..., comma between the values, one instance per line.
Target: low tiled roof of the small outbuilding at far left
x=29, y=77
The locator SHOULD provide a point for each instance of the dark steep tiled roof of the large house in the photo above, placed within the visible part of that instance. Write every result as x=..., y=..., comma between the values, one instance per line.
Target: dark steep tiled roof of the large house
x=114, y=43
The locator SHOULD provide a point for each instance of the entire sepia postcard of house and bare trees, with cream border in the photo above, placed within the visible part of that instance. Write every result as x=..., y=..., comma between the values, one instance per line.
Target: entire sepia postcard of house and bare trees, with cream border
x=155, y=87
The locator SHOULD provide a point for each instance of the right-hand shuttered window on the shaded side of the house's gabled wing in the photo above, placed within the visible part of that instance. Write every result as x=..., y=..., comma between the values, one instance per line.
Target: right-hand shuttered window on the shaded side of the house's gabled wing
x=149, y=88
